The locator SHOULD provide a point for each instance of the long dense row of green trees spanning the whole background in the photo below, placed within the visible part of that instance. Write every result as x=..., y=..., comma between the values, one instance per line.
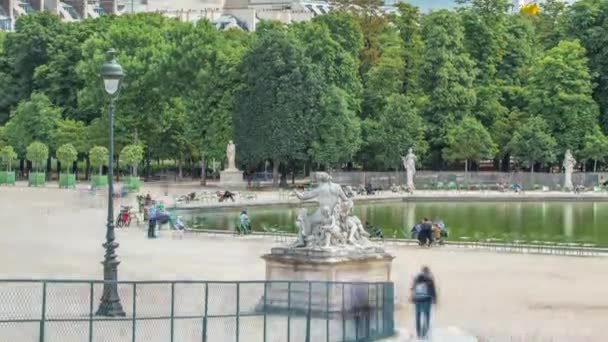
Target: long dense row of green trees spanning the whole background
x=348, y=88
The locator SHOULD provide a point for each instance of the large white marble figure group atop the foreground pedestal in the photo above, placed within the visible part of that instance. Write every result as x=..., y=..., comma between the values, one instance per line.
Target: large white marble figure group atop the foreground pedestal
x=333, y=224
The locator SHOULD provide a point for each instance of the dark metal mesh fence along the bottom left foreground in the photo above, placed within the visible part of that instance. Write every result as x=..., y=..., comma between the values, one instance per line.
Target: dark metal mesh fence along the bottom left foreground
x=184, y=311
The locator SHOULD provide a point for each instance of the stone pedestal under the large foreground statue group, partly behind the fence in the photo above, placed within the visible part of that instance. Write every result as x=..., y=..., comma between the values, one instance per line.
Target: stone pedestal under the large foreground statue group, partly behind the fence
x=369, y=264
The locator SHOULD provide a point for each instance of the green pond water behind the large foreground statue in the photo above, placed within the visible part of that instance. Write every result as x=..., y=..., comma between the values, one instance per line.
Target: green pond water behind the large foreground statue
x=546, y=221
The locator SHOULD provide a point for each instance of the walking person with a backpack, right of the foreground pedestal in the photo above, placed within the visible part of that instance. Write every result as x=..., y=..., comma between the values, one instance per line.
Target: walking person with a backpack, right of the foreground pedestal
x=424, y=294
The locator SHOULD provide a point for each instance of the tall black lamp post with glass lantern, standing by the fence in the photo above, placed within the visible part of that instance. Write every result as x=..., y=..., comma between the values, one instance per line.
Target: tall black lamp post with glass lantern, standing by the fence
x=111, y=73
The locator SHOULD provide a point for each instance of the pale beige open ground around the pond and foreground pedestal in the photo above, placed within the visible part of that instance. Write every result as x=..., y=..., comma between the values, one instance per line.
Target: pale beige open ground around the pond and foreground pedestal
x=52, y=233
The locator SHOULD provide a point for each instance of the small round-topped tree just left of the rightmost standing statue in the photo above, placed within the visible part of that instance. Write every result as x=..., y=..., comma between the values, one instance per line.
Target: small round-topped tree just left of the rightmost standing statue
x=532, y=143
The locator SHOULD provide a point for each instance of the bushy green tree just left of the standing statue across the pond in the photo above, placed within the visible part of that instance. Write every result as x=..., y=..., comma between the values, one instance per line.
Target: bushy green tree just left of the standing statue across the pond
x=398, y=128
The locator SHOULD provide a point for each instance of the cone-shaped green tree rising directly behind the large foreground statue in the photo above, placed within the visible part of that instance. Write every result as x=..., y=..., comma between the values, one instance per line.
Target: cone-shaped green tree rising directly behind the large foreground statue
x=338, y=135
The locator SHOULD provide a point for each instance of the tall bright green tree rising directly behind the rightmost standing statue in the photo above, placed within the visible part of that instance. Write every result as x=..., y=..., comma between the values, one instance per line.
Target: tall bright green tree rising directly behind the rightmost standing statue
x=560, y=92
